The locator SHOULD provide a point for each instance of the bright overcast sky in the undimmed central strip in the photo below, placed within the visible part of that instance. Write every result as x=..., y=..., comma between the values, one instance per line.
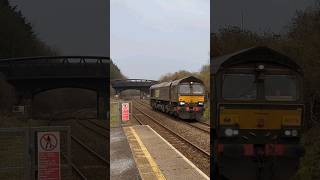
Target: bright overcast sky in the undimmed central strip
x=152, y=37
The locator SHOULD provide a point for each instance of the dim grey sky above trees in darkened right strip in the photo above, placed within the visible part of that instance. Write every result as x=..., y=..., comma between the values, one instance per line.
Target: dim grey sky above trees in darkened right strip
x=259, y=15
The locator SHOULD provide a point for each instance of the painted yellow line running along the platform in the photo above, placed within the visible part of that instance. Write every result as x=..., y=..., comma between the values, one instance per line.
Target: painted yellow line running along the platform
x=154, y=166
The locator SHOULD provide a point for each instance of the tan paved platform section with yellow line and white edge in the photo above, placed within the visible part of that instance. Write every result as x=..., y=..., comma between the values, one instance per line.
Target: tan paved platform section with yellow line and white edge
x=157, y=159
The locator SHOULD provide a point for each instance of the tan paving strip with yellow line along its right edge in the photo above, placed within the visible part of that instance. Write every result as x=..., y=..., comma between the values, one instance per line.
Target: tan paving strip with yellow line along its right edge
x=147, y=167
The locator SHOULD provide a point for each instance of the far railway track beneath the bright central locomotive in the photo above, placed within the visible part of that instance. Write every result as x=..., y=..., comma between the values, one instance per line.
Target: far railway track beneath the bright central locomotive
x=205, y=127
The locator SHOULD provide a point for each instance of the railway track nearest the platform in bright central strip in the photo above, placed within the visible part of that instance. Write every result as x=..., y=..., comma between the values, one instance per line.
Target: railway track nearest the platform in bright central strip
x=196, y=154
